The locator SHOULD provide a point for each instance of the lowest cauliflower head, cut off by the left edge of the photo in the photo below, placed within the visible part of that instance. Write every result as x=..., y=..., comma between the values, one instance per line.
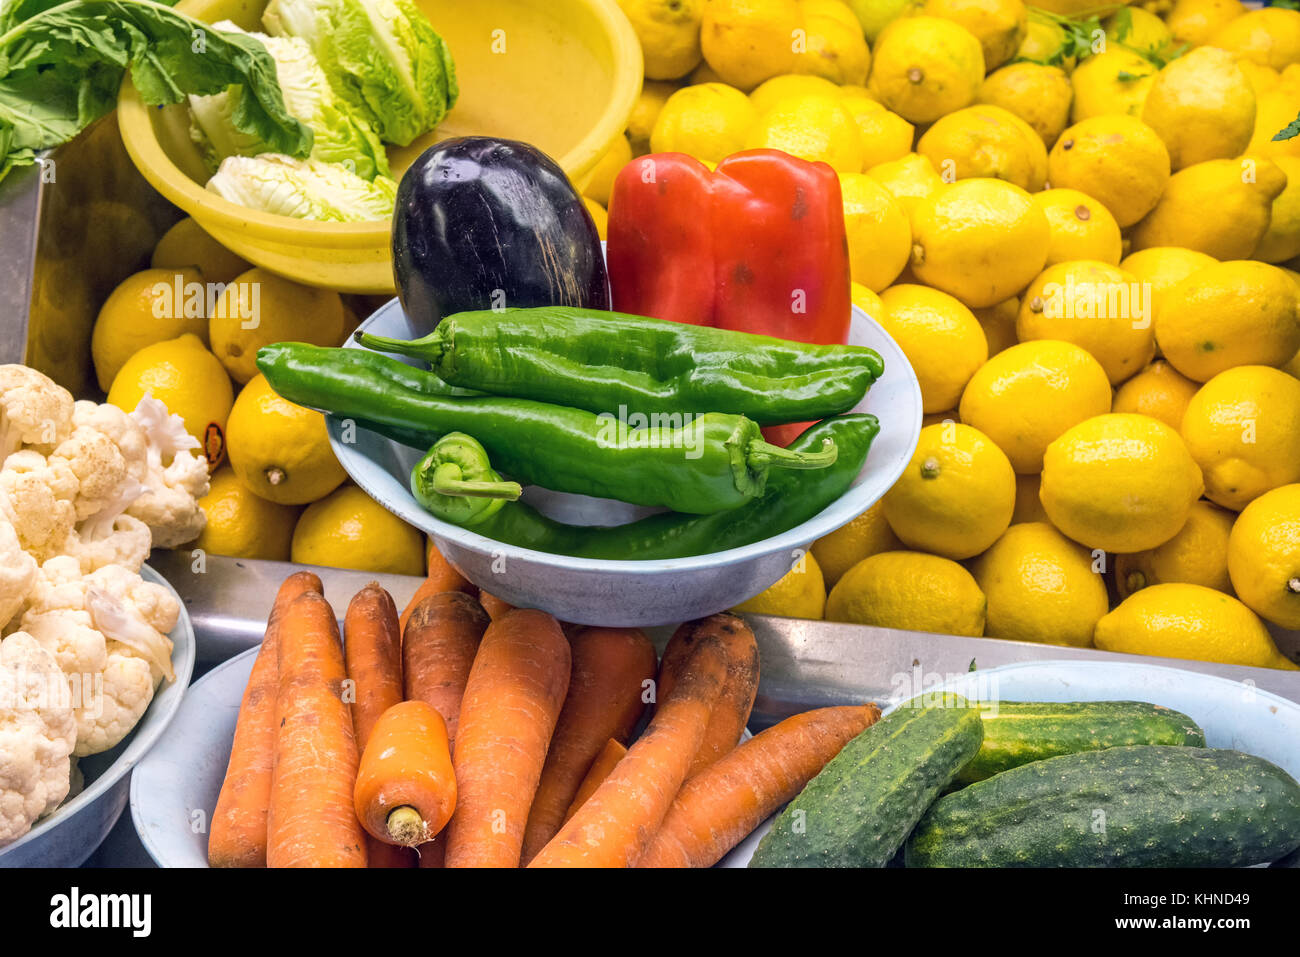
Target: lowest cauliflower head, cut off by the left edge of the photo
x=37, y=735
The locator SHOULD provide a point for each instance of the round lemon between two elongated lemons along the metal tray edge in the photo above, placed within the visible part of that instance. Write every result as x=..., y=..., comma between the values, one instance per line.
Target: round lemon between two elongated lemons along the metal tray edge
x=1041, y=587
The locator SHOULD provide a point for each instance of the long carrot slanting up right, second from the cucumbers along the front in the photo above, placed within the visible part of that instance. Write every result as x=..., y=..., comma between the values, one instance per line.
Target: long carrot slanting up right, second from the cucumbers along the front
x=617, y=824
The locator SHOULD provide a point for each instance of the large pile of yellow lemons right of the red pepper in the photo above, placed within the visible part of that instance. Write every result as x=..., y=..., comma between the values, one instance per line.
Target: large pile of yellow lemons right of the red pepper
x=1077, y=223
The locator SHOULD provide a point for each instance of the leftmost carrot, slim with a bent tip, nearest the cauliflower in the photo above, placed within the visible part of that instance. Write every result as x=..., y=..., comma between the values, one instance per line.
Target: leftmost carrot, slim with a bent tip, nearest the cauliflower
x=239, y=837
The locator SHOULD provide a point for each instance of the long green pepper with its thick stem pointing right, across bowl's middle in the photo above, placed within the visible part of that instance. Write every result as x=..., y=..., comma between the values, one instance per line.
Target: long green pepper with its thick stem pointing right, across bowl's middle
x=710, y=464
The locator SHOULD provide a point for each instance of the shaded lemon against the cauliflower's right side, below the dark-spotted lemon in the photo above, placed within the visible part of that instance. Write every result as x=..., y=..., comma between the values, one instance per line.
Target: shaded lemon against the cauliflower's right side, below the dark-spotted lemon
x=242, y=525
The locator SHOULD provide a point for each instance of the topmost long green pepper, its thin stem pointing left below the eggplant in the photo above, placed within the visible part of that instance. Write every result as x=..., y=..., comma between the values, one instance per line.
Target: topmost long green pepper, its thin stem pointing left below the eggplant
x=606, y=361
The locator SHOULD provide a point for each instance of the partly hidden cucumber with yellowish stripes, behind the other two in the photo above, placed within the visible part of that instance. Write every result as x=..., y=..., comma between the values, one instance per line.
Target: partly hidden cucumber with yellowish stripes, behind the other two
x=1017, y=733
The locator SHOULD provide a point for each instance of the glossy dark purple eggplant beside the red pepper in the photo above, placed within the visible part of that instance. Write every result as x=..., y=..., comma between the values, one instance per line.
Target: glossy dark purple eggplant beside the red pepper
x=488, y=224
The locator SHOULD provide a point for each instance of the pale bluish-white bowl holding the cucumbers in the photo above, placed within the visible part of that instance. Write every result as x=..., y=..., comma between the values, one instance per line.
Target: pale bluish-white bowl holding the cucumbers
x=1233, y=714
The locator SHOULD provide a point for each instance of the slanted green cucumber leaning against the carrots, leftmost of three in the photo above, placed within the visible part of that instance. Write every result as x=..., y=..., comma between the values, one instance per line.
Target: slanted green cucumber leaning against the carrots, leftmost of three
x=859, y=811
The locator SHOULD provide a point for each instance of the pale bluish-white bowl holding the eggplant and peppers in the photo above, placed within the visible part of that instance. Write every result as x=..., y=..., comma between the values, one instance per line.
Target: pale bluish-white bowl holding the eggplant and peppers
x=635, y=594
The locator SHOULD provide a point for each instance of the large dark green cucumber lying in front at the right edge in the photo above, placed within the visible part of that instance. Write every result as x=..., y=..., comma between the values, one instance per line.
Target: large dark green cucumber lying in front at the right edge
x=1138, y=807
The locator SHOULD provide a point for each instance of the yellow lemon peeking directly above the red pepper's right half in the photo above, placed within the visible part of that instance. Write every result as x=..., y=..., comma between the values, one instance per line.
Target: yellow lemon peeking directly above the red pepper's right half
x=812, y=127
